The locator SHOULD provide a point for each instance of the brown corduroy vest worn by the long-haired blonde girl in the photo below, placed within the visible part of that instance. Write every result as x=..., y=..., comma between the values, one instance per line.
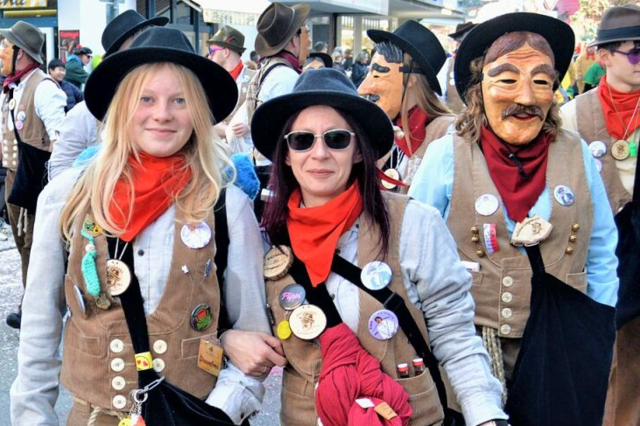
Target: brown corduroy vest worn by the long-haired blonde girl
x=88, y=362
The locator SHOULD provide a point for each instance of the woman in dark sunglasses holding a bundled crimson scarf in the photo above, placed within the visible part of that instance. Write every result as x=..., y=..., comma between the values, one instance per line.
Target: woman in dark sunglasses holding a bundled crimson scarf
x=353, y=269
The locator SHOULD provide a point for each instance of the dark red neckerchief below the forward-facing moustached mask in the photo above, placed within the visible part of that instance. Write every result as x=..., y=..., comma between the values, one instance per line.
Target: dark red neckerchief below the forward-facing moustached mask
x=518, y=194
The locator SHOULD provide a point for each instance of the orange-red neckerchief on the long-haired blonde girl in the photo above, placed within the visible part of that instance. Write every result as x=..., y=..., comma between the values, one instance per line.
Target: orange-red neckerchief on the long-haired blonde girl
x=156, y=183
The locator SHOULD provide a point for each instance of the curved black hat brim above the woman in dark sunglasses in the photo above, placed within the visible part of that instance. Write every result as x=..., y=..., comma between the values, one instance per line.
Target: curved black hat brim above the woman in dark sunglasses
x=270, y=118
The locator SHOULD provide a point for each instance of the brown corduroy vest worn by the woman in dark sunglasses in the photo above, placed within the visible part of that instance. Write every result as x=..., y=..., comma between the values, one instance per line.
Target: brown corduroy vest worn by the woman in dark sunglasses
x=305, y=363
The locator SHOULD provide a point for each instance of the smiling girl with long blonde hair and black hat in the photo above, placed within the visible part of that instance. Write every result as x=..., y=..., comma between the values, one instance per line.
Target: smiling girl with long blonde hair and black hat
x=132, y=246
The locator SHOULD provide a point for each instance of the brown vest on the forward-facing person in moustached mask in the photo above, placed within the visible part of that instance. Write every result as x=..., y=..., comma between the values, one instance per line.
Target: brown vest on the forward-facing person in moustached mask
x=502, y=287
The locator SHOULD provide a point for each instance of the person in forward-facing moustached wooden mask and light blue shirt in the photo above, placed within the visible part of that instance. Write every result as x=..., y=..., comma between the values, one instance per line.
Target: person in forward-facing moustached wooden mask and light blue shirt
x=509, y=161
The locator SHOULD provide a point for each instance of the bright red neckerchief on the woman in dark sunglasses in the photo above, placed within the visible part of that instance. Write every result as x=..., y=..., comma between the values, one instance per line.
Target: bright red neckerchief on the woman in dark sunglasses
x=315, y=231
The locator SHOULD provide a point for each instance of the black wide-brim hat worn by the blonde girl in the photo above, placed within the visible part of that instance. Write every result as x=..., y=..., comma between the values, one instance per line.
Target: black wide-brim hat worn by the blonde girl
x=156, y=45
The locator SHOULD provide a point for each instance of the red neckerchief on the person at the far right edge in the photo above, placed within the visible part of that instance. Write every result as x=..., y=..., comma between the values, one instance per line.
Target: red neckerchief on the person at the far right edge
x=624, y=103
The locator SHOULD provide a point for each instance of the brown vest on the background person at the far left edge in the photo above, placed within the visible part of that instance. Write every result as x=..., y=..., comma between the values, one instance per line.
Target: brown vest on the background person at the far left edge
x=33, y=133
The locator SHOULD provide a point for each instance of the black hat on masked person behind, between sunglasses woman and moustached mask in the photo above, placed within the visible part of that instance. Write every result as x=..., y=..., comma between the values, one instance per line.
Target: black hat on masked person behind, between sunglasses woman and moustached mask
x=421, y=44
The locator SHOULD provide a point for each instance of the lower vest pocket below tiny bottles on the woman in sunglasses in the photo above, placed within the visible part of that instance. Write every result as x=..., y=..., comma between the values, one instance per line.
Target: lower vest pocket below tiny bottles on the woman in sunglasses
x=424, y=399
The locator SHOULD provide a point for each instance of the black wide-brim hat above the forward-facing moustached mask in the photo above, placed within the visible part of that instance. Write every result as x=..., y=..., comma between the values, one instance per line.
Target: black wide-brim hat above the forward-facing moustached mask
x=558, y=34
